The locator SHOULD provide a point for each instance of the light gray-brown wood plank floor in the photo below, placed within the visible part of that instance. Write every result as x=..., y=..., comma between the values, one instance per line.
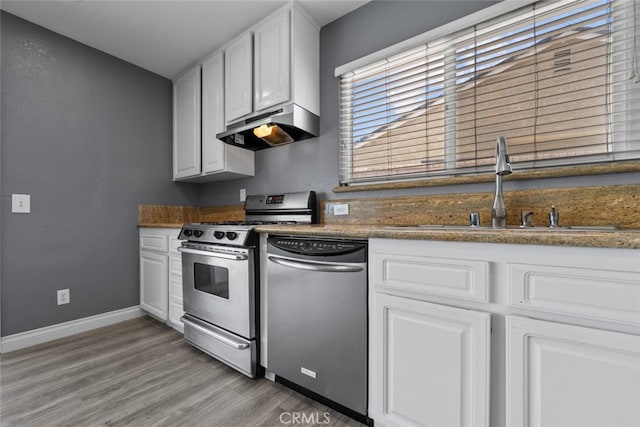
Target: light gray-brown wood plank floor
x=142, y=373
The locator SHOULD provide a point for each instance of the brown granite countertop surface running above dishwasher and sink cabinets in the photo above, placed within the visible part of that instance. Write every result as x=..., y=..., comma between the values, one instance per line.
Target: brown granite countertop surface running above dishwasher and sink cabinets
x=623, y=238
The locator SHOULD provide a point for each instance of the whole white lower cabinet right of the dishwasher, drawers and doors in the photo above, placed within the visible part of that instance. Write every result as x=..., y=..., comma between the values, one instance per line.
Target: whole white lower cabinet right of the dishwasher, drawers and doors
x=565, y=335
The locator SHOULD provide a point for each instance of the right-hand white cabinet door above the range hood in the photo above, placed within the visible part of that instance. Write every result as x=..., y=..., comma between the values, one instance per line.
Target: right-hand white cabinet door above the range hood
x=272, y=61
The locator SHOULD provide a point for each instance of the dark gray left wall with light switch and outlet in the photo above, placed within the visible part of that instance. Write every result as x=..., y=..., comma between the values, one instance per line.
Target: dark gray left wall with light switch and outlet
x=89, y=137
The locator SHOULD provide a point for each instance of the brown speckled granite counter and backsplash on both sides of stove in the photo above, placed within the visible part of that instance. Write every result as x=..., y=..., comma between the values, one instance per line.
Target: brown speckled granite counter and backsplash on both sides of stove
x=400, y=217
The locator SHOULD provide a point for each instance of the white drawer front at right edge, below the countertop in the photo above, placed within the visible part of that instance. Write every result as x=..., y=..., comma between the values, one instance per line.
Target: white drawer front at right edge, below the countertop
x=587, y=292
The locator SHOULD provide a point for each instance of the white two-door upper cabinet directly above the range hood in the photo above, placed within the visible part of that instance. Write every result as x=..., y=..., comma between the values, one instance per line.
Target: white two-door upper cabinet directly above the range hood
x=275, y=63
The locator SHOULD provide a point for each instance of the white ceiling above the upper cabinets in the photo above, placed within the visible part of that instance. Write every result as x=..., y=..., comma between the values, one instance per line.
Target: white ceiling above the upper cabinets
x=163, y=36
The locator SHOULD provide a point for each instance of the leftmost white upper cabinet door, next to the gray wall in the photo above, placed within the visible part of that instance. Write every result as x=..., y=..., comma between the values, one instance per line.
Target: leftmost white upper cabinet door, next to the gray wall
x=186, y=126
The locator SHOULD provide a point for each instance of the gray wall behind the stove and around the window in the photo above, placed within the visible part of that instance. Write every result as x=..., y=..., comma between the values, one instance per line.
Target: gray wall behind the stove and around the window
x=313, y=164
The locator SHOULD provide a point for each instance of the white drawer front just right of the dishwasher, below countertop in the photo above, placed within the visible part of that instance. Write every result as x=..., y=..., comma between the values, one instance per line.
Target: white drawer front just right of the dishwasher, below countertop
x=448, y=277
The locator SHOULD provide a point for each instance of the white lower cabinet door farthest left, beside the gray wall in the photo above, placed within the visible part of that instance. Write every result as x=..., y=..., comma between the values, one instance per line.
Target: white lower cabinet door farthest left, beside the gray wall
x=154, y=284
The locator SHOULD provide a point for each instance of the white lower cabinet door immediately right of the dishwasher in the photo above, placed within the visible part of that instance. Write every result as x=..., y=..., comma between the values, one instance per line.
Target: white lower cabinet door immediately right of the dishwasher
x=430, y=364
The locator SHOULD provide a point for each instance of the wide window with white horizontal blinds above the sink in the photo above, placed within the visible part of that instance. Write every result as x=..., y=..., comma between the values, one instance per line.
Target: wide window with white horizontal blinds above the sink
x=558, y=79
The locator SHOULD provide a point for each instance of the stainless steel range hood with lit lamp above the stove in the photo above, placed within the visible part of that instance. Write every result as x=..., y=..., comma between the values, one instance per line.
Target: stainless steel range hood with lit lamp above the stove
x=285, y=125
